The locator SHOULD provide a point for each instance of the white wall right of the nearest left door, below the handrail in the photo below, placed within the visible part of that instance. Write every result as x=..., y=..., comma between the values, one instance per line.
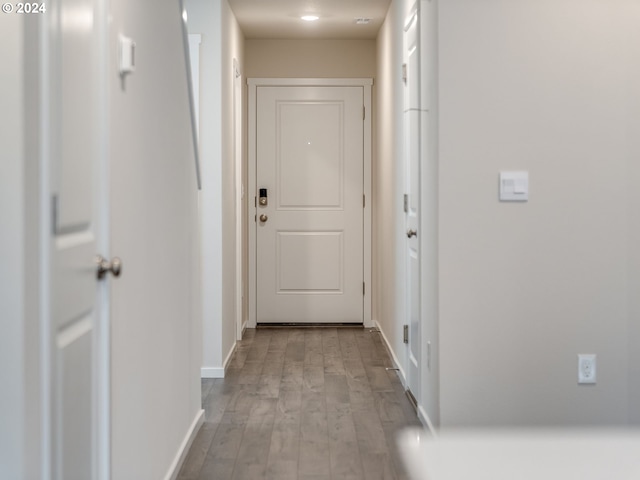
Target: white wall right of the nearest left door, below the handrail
x=155, y=377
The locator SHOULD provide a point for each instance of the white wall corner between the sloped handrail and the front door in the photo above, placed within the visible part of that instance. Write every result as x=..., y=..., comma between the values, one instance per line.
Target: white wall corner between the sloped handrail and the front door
x=222, y=41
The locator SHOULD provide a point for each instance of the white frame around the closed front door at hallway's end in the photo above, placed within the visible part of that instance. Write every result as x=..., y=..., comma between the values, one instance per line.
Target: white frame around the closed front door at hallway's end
x=366, y=84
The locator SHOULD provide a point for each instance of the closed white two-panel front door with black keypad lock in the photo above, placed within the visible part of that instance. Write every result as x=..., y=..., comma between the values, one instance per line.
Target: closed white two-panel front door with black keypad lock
x=309, y=167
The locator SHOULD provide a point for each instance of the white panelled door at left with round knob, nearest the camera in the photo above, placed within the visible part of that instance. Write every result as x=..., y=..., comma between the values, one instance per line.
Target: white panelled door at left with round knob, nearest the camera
x=76, y=296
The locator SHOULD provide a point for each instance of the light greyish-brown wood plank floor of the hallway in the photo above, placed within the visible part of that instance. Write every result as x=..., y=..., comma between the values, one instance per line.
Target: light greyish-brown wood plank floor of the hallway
x=307, y=404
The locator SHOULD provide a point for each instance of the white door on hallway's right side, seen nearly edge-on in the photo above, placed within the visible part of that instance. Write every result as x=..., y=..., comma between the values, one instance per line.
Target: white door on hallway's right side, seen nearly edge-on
x=412, y=119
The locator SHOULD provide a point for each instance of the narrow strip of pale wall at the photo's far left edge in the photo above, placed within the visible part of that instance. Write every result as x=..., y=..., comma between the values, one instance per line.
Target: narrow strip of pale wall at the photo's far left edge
x=12, y=274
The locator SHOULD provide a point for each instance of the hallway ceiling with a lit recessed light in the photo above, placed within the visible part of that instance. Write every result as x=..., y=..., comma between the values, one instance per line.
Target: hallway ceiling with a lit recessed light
x=281, y=18
